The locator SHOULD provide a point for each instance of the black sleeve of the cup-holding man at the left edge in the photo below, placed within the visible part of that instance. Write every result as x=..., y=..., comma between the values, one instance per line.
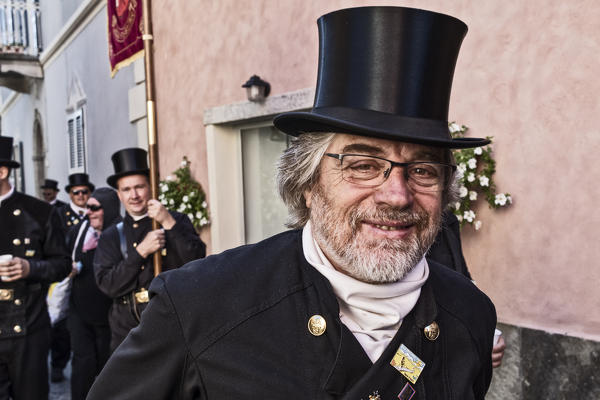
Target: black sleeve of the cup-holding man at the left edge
x=56, y=262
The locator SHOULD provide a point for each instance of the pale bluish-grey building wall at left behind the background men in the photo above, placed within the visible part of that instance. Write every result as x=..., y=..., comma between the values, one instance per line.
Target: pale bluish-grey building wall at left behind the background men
x=80, y=60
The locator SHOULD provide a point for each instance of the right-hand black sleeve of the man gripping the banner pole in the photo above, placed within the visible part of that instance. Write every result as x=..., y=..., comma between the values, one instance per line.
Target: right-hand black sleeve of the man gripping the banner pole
x=183, y=240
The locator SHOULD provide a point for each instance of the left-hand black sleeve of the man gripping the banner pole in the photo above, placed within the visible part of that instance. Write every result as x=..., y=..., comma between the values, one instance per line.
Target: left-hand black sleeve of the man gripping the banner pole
x=115, y=276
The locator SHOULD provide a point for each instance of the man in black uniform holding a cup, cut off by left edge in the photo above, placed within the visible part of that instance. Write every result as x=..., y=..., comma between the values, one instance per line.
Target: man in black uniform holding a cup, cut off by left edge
x=32, y=238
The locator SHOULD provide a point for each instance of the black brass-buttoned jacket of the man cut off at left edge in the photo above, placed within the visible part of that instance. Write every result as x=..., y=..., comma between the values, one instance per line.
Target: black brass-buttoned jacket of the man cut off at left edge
x=30, y=229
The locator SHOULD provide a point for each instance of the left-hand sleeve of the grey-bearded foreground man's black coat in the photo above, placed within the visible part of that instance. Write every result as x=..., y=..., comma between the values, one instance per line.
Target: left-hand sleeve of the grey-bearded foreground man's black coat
x=154, y=361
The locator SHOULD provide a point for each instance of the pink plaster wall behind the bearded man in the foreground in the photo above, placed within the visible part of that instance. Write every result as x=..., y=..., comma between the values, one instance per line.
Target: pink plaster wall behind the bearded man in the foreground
x=527, y=75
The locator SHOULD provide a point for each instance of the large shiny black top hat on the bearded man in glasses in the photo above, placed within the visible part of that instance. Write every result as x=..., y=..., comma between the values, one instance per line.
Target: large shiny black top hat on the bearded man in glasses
x=384, y=72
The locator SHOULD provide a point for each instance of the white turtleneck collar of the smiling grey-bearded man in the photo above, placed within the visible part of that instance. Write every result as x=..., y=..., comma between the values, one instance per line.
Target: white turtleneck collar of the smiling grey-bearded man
x=372, y=312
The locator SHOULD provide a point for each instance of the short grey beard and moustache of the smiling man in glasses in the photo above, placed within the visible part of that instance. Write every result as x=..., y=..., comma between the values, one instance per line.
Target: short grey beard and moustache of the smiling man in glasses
x=371, y=261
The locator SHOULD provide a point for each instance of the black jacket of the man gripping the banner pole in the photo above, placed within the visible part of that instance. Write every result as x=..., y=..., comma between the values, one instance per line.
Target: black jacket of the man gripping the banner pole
x=118, y=277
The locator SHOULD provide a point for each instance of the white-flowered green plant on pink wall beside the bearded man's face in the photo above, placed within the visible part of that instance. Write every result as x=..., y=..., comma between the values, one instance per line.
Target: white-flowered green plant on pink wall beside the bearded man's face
x=475, y=170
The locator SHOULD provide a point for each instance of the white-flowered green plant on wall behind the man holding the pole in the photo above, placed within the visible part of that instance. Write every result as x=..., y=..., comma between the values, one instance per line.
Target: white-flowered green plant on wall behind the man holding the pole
x=184, y=194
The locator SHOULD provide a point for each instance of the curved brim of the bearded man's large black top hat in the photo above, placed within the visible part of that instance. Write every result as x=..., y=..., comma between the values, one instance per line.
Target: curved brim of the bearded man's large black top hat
x=373, y=124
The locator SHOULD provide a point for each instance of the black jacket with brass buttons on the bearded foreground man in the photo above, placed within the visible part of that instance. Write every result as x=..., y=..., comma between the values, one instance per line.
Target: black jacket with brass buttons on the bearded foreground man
x=234, y=326
